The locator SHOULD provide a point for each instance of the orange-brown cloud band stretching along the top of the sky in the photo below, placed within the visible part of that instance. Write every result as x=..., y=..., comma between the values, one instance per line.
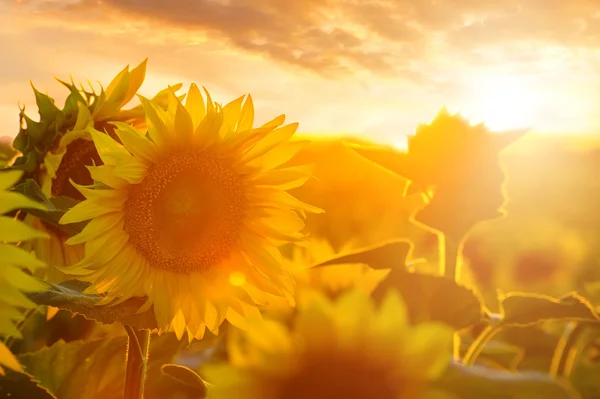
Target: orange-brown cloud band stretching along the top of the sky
x=338, y=38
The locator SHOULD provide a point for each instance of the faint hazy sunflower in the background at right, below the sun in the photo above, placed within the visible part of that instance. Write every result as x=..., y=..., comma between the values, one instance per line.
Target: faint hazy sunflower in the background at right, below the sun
x=541, y=256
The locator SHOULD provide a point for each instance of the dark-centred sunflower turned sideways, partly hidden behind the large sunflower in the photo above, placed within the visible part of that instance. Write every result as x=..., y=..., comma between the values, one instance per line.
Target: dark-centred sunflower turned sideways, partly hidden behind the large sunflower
x=60, y=149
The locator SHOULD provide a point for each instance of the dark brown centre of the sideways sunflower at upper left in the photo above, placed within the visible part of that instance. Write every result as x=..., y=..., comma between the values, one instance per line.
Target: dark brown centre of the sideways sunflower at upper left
x=80, y=153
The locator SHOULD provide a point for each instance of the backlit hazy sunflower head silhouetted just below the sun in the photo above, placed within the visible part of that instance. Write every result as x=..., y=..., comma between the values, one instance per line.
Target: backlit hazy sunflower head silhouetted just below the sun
x=457, y=165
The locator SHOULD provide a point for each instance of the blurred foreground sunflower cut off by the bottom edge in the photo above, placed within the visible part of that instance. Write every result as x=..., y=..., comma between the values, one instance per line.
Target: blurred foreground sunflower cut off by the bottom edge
x=345, y=348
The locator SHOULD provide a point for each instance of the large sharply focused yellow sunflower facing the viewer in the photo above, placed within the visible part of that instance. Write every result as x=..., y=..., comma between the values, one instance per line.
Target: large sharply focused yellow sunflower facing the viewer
x=192, y=212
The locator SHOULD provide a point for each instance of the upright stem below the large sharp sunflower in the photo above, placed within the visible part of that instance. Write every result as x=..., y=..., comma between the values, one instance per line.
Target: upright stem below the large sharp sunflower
x=137, y=362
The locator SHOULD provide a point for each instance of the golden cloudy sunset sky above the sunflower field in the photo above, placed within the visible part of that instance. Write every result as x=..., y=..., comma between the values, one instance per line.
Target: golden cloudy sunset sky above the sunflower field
x=369, y=68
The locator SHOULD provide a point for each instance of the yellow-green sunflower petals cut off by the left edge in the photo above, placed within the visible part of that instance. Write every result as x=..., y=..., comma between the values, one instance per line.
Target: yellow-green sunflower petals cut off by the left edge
x=15, y=262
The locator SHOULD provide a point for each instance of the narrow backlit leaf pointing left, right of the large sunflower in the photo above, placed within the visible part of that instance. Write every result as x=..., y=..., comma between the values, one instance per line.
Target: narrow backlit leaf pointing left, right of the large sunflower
x=389, y=255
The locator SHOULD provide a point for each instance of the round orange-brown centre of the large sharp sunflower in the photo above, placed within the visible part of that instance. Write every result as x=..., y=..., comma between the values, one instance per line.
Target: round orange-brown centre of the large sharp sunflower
x=186, y=213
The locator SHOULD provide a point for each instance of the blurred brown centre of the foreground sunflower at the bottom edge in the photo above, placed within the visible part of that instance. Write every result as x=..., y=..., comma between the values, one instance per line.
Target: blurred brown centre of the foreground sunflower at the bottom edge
x=349, y=376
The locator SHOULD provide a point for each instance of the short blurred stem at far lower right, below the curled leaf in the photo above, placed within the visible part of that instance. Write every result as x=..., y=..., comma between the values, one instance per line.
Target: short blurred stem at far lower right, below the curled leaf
x=570, y=345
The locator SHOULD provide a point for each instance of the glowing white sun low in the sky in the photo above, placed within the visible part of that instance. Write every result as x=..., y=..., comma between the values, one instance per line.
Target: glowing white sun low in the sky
x=502, y=102
